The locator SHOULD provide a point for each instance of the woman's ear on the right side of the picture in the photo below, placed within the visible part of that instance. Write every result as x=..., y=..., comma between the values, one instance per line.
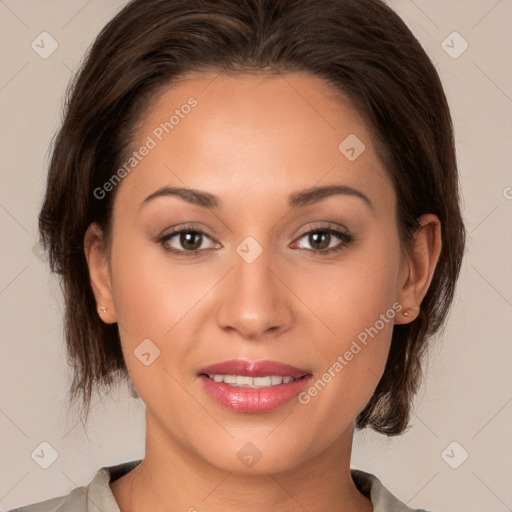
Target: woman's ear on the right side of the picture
x=418, y=267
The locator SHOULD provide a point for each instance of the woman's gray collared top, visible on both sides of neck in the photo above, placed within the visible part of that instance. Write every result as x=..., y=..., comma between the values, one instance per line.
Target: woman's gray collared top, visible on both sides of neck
x=97, y=496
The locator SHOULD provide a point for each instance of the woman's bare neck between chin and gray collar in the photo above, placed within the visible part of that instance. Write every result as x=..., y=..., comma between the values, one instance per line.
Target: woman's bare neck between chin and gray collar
x=174, y=478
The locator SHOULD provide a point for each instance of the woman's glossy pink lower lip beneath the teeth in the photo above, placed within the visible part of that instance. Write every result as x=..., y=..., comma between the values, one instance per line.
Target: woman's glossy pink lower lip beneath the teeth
x=254, y=400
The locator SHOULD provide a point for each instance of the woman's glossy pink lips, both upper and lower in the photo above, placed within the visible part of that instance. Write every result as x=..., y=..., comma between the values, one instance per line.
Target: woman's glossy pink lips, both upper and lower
x=251, y=400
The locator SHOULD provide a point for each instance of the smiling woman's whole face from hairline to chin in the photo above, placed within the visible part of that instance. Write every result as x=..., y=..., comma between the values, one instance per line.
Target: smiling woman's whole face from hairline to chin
x=259, y=269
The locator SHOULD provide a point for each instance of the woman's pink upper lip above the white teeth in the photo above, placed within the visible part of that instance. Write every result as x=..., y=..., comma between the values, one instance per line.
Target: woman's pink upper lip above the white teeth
x=253, y=369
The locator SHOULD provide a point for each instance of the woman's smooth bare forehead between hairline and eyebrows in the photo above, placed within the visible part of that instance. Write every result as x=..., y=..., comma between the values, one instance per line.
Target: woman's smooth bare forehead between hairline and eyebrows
x=254, y=133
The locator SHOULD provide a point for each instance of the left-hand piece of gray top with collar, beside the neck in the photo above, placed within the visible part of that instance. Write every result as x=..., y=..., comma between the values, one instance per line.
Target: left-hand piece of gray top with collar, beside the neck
x=94, y=497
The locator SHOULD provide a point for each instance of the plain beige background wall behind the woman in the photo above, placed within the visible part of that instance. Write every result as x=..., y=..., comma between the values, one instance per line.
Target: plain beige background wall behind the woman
x=467, y=395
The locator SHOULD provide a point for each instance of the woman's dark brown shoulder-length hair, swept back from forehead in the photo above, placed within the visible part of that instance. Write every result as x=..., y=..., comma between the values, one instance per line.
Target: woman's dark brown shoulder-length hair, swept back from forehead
x=361, y=47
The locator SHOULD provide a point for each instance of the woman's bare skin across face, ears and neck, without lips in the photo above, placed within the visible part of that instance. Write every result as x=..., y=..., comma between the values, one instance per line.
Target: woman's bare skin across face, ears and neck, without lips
x=252, y=141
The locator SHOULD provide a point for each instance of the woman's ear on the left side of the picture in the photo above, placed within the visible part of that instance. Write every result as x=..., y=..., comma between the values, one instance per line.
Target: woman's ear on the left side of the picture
x=99, y=272
